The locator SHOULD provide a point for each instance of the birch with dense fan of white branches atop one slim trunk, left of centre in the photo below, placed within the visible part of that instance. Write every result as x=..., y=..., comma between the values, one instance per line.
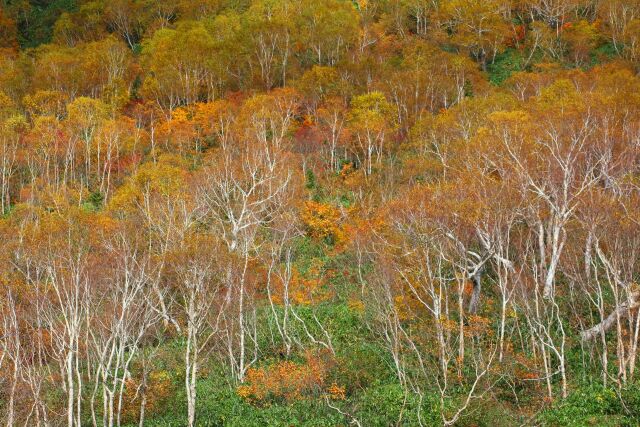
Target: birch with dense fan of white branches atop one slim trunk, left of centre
x=244, y=189
